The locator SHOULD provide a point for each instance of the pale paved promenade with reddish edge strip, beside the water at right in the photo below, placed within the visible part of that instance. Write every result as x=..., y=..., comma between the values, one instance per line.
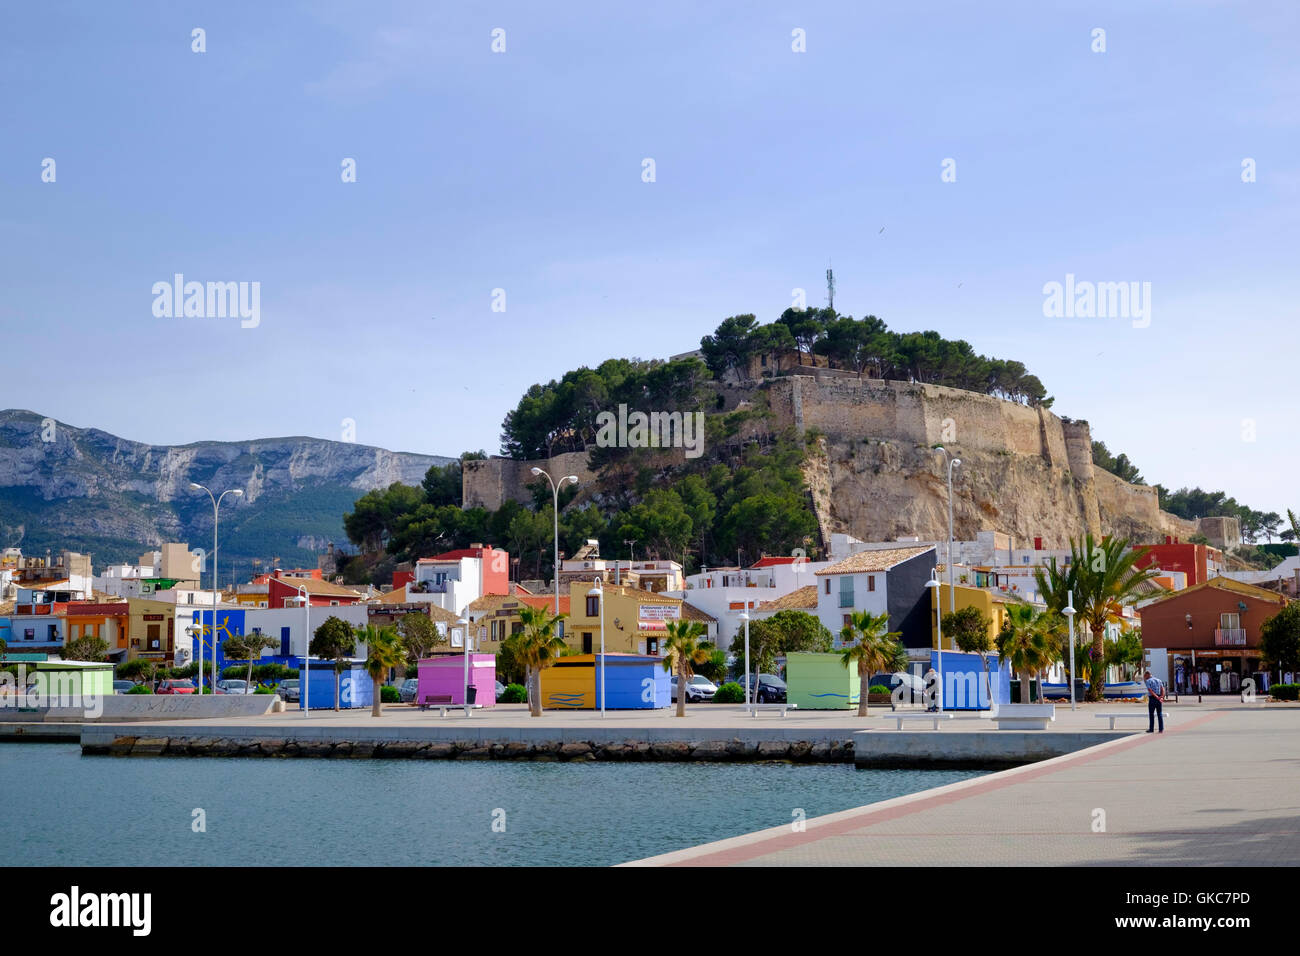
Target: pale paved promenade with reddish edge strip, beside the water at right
x=1220, y=788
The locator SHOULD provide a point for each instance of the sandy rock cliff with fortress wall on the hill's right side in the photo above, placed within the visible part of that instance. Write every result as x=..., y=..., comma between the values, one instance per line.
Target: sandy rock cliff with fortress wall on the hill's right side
x=1025, y=473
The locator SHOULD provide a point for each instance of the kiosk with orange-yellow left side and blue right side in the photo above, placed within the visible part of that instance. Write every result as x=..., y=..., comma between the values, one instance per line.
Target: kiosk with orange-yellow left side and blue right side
x=634, y=682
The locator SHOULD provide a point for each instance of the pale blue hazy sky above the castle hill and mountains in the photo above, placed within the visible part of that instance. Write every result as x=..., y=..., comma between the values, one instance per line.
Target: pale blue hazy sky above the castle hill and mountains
x=523, y=171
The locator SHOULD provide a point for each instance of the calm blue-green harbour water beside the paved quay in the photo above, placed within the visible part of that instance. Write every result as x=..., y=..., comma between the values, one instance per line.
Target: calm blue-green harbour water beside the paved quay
x=60, y=808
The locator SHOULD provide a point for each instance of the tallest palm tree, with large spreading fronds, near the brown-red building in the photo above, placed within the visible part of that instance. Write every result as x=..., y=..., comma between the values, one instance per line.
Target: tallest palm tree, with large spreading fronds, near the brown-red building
x=1104, y=577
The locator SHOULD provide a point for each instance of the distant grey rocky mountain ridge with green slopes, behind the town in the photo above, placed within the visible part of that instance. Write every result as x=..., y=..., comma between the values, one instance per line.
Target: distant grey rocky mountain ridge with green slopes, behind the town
x=89, y=491
